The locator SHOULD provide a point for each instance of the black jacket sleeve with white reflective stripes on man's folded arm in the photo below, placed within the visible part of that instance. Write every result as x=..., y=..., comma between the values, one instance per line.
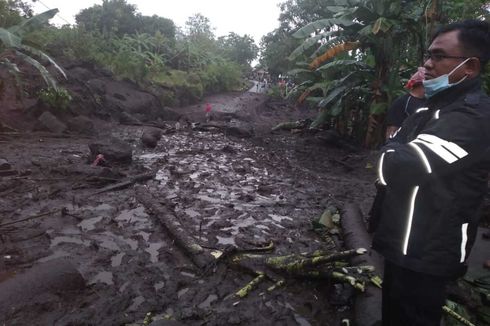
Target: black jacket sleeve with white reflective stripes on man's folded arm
x=449, y=143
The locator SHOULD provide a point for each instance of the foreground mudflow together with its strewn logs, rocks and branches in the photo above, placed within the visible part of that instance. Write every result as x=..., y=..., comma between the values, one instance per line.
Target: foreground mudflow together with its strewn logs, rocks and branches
x=180, y=230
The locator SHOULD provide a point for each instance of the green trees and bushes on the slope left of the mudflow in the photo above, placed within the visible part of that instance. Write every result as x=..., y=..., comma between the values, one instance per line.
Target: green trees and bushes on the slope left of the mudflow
x=148, y=50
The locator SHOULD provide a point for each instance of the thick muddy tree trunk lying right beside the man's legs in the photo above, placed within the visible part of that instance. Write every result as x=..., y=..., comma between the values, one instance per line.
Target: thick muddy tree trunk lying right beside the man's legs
x=367, y=304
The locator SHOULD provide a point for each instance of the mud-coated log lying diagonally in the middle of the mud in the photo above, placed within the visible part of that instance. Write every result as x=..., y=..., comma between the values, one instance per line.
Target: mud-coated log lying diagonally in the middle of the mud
x=198, y=255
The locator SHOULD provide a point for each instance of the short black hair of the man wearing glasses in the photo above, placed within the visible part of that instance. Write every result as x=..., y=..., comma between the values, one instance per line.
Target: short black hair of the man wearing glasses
x=474, y=35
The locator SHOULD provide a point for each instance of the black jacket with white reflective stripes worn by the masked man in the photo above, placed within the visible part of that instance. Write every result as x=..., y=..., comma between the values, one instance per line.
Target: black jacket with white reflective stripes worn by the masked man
x=435, y=171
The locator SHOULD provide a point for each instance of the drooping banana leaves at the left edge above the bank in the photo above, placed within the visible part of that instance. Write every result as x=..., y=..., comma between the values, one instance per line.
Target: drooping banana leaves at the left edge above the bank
x=12, y=42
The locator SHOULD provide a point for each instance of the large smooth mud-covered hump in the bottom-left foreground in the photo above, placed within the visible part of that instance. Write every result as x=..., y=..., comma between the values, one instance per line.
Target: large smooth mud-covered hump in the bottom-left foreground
x=54, y=277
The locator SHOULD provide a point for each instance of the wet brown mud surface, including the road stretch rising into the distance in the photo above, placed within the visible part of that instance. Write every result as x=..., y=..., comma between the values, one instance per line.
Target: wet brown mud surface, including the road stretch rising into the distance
x=223, y=190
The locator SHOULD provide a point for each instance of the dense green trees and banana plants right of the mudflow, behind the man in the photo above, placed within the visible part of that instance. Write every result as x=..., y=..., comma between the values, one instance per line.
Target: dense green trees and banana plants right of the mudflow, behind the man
x=351, y=57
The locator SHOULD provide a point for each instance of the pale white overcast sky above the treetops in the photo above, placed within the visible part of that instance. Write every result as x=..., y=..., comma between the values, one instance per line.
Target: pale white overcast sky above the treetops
x=253, y=17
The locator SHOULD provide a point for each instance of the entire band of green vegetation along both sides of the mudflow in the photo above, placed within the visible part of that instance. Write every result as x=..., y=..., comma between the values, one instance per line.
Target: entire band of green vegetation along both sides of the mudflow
x=348, y=58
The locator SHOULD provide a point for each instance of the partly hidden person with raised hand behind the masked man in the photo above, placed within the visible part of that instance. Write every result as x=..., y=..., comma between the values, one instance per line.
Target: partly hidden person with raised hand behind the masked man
x=407, y=104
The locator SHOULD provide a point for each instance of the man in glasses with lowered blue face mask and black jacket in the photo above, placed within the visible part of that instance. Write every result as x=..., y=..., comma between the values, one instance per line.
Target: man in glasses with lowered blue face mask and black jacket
x=435, y=172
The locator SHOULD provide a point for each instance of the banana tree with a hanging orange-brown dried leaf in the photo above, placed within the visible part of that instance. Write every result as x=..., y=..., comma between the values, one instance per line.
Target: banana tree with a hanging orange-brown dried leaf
x=372, y=34
